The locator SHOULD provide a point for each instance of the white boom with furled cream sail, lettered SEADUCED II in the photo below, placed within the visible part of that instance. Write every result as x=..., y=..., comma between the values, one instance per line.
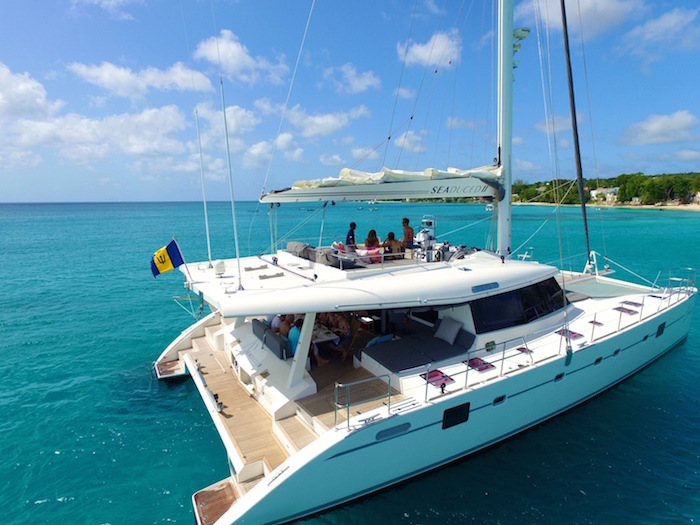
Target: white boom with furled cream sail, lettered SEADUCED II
x=354, y=185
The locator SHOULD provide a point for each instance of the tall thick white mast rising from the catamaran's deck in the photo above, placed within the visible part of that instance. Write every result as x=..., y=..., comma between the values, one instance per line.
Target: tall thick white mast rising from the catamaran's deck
x=505, y=119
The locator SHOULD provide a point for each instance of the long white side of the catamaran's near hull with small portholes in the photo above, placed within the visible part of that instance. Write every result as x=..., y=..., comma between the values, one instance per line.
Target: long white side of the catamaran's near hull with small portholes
x=341, y=465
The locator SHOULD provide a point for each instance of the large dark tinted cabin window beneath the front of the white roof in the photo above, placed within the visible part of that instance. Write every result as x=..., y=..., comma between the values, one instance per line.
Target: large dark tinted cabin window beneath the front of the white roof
x=517, y=307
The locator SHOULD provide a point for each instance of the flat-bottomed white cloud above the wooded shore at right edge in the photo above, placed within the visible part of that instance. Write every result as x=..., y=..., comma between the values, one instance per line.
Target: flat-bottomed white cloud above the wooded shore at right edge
x=662, y=129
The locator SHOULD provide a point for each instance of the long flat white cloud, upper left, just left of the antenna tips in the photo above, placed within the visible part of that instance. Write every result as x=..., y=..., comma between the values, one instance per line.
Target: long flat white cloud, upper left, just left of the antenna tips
x=124, y=82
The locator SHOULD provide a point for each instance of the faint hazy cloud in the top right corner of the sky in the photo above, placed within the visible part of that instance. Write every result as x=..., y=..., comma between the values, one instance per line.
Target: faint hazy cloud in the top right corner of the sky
x=676, y=29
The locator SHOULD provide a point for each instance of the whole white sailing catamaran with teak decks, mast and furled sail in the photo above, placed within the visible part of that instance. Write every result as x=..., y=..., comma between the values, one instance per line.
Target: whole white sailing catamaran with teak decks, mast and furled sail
x=449, y=349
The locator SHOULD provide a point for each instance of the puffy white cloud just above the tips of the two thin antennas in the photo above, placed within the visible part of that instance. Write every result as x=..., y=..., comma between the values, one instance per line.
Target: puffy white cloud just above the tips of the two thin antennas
x=237, y=62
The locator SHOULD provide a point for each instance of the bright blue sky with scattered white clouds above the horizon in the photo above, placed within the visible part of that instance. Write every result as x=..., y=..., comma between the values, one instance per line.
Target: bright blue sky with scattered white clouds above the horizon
x=98, y=97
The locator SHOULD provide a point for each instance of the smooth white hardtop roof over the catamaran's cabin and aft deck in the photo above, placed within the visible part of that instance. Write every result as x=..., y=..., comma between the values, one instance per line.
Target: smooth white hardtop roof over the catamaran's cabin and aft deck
x=291, y=284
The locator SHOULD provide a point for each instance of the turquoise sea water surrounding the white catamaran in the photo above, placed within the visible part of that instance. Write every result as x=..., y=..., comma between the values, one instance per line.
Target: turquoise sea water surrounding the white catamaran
x=88, y=436
